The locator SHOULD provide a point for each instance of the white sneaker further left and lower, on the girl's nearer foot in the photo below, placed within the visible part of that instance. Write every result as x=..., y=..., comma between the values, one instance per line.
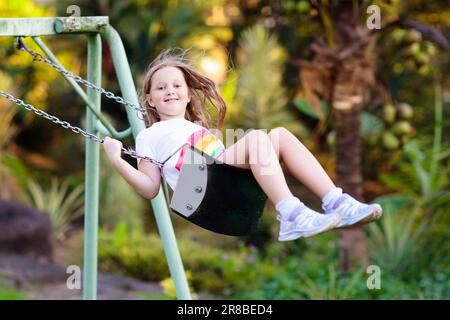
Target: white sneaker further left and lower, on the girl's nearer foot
x=306, y=223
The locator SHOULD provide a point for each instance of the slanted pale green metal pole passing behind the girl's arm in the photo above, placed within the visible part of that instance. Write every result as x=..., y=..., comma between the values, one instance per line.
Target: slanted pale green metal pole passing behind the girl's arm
x=159, y=205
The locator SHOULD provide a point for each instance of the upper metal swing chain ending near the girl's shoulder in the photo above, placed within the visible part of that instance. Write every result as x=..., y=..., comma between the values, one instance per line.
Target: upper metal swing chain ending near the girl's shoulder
x=39, y=57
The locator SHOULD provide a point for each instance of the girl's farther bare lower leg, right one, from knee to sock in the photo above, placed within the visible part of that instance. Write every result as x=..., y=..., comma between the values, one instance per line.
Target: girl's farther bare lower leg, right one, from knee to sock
x=301, y=162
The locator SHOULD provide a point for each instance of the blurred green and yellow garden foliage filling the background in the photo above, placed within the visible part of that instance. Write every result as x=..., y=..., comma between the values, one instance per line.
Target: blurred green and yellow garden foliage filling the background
x=252, y=50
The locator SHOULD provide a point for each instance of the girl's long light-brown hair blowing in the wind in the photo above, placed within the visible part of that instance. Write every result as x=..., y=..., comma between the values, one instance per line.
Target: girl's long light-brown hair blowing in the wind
x=201, y=89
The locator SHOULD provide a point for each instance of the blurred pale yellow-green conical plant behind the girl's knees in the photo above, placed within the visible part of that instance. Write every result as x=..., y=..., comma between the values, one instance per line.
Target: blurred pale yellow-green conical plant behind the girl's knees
x=261, y=100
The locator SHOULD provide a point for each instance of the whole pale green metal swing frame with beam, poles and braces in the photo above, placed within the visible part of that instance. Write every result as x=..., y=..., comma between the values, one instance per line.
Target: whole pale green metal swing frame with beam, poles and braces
x=94, y=29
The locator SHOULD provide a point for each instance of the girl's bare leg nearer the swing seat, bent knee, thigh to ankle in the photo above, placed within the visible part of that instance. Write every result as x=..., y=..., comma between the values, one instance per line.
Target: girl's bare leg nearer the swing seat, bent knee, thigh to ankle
x=255, y=151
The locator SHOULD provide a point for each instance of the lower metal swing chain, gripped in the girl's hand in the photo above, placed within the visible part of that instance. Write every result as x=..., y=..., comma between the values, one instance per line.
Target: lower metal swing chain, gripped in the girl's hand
x=75, y=129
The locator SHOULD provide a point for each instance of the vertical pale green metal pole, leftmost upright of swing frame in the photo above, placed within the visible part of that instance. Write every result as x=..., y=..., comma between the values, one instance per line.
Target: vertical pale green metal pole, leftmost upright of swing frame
x=92, y=173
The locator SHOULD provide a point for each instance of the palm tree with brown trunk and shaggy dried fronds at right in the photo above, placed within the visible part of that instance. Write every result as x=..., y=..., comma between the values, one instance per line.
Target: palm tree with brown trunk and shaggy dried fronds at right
x=343, y=72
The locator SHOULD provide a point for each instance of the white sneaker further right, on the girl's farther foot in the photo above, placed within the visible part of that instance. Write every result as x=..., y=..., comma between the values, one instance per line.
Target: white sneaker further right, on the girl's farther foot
x=351, y=211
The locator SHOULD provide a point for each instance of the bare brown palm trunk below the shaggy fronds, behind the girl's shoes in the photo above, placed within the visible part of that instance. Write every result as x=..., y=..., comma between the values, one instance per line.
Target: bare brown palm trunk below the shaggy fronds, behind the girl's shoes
x=347, y=111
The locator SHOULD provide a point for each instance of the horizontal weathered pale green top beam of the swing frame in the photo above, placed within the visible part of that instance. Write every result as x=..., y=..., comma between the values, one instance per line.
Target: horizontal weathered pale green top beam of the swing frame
x=50, y=26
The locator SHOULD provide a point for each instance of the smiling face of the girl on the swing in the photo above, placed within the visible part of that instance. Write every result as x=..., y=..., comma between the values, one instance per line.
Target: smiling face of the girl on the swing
x=169, y=93
